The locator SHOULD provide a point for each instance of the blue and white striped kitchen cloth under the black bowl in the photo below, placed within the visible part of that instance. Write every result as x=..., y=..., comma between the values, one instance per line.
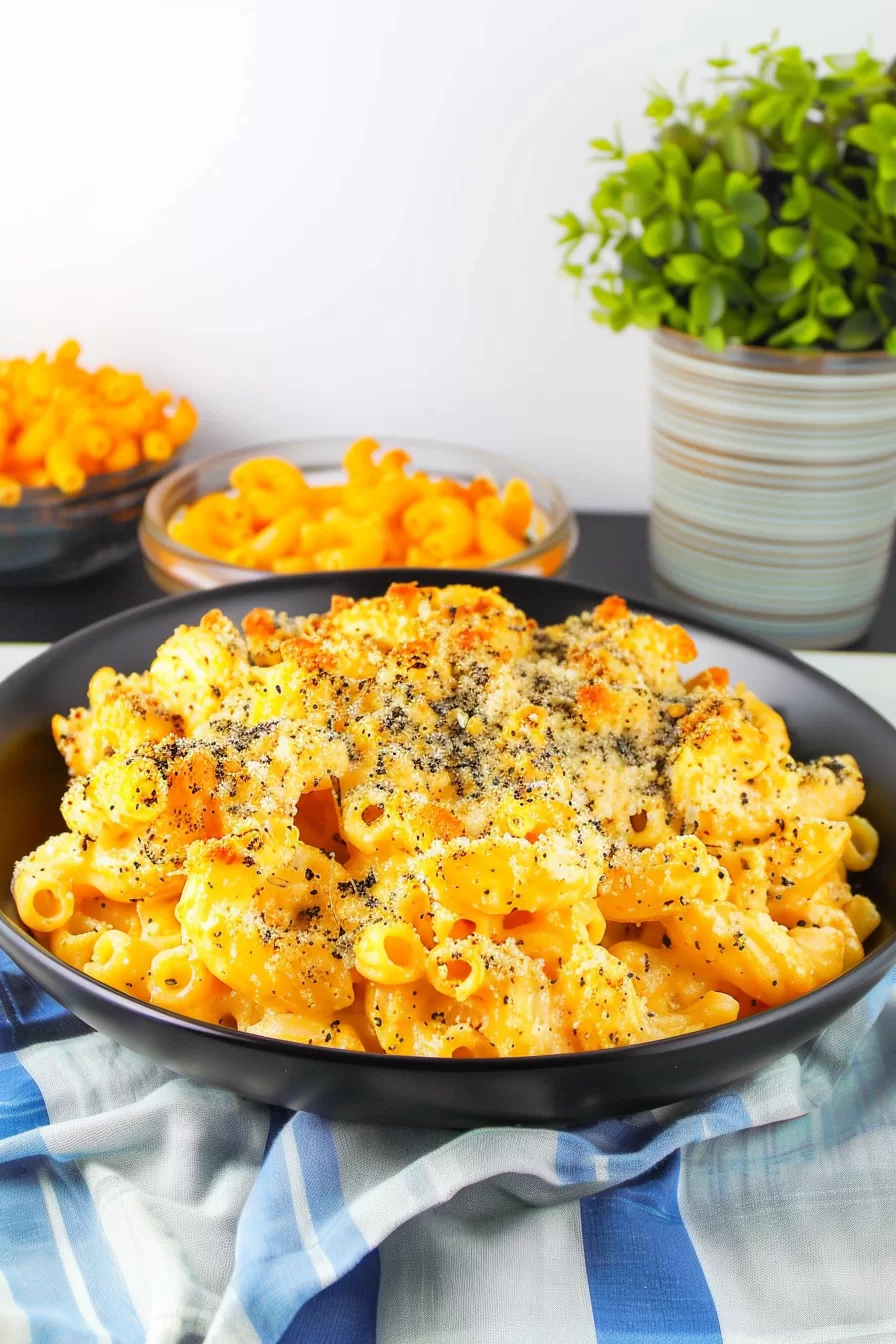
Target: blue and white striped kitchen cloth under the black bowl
x=136, y=1206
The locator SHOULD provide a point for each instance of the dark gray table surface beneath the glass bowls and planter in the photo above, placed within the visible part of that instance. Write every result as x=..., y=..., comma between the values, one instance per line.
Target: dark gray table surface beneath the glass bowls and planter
x=613, y=556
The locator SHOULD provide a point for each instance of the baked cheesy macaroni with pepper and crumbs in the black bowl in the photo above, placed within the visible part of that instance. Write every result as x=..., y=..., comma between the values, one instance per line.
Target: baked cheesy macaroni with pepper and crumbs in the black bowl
x=422, y=825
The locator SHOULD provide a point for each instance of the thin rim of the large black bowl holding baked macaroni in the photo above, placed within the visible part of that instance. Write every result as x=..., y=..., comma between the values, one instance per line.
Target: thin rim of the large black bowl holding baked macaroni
x=862, y=976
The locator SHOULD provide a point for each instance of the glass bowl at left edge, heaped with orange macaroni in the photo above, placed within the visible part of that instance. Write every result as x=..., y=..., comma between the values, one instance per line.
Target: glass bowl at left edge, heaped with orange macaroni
x=50, y=537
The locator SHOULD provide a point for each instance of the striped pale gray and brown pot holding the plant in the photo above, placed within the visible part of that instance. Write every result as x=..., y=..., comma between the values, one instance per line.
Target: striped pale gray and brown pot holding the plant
x=774, y=487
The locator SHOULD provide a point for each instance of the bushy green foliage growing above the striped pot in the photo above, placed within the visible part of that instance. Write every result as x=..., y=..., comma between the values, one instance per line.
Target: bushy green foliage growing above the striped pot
x=764, y=214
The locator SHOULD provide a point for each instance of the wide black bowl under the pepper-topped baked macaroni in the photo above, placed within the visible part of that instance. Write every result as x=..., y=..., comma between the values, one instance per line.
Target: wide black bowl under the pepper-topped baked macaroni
x=543, y=1091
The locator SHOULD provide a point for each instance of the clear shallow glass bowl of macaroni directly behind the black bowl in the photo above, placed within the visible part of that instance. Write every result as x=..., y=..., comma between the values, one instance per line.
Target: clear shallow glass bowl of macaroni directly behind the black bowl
x=178, y=569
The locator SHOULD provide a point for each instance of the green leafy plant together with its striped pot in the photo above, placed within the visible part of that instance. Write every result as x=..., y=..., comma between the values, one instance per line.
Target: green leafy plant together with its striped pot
x=757, y=241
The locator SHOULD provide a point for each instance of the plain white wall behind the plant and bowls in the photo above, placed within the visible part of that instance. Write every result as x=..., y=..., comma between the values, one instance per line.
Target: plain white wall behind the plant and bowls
x=332, y=216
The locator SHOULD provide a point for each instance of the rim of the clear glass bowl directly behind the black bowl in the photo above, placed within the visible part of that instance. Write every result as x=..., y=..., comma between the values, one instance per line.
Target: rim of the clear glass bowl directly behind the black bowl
x=156, y=529
